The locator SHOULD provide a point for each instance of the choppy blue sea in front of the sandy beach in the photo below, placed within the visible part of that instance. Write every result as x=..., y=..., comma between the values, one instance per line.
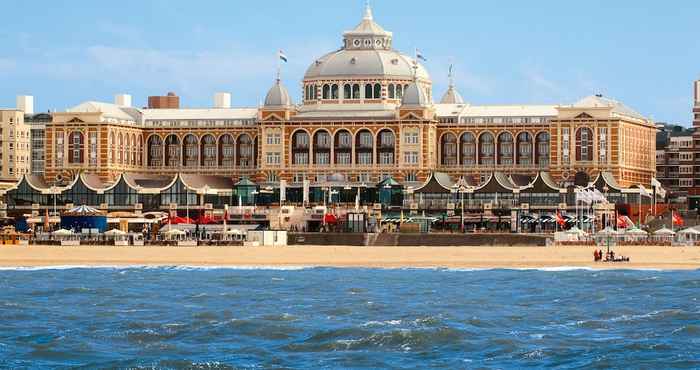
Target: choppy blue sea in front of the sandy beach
x=196, y=318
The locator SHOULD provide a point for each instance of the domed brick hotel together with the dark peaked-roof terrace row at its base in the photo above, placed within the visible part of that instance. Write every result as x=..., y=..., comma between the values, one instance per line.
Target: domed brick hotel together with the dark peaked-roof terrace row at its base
x=367, y=124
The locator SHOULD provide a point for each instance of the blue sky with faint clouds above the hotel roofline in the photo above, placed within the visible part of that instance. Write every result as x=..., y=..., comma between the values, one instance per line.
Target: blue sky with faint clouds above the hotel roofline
x=644, y=53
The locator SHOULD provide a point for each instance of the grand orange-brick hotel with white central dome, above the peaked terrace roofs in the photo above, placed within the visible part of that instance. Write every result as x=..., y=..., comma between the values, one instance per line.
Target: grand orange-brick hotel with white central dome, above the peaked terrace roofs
x=367, y=114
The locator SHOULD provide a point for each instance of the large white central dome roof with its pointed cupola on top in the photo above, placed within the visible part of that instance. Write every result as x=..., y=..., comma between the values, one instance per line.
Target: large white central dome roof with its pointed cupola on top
x=366, y=53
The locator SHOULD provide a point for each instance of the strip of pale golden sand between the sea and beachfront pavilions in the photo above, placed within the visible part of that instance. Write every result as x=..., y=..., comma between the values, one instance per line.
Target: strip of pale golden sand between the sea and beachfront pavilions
x=667, y=258
